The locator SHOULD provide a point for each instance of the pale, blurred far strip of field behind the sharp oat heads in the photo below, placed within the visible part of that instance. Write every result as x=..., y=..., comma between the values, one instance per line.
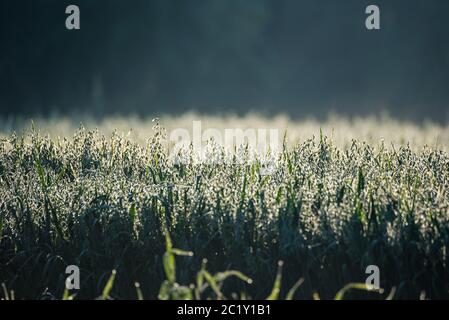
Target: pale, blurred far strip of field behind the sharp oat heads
x=340, y=129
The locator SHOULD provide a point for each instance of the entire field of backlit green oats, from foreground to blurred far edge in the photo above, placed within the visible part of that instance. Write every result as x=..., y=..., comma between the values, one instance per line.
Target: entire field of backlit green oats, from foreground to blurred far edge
x=355, y=193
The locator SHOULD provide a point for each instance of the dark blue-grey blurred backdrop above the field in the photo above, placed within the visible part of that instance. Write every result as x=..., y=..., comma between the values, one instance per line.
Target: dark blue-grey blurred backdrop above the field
x=298, y=57
